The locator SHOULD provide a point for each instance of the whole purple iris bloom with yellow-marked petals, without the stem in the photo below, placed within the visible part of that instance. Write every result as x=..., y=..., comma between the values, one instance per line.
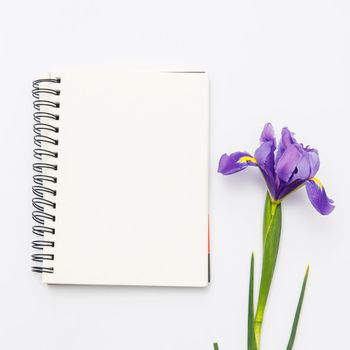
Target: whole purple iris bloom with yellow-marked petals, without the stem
x=285, y=169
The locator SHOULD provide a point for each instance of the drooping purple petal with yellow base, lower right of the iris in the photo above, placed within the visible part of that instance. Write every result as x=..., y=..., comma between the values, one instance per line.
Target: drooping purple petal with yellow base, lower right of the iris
x=318, y=197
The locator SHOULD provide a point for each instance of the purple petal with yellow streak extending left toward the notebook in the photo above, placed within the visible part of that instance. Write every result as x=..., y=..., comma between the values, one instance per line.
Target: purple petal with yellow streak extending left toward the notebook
x=230, y=164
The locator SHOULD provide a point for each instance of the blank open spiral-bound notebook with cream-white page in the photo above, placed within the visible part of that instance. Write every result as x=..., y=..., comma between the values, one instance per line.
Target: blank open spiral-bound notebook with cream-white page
x=121, y=178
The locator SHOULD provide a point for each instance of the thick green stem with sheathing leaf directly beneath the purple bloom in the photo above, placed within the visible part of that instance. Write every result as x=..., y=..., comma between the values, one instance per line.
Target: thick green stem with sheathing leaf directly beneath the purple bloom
x=271, y=239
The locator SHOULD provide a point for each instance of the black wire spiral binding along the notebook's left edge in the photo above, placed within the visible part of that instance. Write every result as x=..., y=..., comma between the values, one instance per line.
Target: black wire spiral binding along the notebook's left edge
x=46, y=113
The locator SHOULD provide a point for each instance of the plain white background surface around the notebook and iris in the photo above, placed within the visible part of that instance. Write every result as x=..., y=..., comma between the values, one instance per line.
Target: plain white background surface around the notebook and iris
x=281, y=61
